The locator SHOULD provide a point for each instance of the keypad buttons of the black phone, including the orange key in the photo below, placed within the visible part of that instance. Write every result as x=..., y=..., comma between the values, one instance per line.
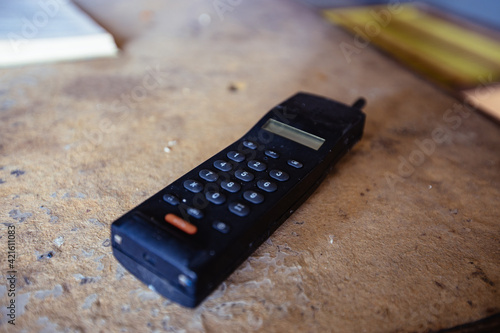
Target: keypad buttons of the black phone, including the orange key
x=221, y=188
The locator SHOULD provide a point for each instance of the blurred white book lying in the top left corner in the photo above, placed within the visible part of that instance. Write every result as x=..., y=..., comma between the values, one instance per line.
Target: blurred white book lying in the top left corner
x=33, y=31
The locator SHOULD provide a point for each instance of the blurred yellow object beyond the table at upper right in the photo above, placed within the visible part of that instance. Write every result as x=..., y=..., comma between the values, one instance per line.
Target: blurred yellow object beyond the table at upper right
x=446, y=52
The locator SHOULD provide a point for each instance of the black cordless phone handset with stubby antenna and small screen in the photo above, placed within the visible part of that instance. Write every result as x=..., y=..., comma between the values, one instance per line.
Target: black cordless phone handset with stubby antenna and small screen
x=186, y=239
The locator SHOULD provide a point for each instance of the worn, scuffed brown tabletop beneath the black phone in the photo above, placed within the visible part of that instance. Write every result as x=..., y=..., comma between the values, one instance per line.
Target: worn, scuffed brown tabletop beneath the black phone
x=402, y=236
